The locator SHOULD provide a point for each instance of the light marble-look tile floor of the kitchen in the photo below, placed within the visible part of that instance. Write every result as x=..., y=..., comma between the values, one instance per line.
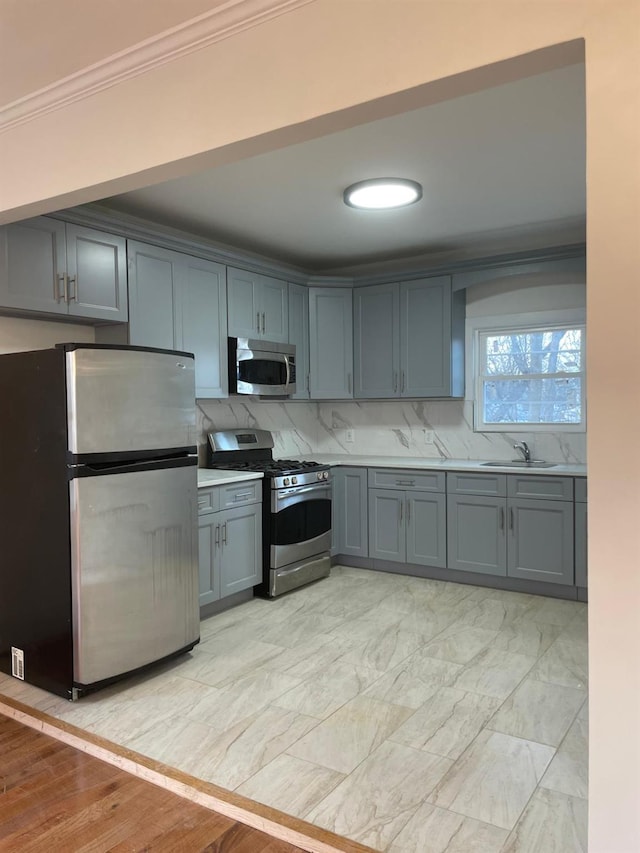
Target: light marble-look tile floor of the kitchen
x=411, y=715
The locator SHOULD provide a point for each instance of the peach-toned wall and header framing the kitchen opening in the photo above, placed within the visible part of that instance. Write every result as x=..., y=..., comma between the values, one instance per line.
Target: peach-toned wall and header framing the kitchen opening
x=355, y=61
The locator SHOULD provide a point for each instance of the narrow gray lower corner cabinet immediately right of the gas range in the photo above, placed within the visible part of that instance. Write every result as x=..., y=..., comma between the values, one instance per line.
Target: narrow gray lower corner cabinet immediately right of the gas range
x=349, y=512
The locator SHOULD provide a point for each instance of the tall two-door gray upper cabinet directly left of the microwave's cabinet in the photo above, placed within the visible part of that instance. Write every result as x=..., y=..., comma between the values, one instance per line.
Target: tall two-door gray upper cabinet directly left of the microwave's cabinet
x=179, y=302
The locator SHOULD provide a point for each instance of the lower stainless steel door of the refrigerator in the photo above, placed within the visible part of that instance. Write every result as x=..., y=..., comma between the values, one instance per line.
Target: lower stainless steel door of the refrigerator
x=134, y=557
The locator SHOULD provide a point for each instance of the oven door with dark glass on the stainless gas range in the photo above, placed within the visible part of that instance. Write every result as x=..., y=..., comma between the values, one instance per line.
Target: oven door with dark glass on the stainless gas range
x=300, y=523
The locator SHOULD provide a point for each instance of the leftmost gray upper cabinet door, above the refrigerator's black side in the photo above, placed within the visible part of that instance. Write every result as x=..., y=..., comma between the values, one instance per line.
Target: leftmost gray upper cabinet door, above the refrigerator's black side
x=32, y=263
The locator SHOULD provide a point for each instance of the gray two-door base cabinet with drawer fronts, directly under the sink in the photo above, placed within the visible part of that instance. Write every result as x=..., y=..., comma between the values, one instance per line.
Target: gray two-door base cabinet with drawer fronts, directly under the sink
x=493, y=531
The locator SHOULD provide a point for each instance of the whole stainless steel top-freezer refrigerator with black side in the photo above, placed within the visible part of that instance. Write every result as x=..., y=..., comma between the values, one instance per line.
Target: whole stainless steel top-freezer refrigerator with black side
x=98, y=513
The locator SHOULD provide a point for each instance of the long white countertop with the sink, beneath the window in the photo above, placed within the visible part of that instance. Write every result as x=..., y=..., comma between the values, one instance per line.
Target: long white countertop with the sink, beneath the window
x=412, y=462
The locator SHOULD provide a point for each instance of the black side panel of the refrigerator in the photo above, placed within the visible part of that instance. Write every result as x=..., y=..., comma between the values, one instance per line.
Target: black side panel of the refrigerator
x=35, y=577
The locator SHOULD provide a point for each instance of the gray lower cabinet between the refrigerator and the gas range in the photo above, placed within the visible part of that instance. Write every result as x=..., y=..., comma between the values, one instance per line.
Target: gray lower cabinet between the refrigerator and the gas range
x=230, y=539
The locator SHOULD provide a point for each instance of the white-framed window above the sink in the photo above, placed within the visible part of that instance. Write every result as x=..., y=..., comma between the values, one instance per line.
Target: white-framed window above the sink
x=531, y=378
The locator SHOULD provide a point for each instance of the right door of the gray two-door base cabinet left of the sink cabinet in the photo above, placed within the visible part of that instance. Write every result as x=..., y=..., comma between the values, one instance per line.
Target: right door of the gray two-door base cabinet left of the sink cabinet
x=426, y=529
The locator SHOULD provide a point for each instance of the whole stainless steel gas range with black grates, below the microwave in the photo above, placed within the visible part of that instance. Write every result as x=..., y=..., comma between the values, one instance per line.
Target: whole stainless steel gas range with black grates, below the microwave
x=296, y=508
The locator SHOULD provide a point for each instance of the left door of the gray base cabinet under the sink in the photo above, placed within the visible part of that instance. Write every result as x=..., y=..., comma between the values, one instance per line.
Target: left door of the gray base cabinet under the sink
x=476, y=536
